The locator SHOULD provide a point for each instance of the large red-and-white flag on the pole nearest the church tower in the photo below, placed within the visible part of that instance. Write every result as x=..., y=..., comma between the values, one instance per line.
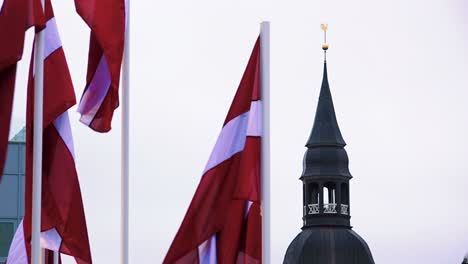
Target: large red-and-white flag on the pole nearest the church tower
x=223, y=222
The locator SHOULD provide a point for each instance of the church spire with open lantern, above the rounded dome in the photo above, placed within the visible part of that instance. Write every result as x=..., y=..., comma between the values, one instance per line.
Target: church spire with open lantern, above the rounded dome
x=325, y=168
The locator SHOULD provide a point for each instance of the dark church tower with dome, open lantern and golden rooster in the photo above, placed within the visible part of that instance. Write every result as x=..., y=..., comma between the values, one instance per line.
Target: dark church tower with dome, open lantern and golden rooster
x=327, y=236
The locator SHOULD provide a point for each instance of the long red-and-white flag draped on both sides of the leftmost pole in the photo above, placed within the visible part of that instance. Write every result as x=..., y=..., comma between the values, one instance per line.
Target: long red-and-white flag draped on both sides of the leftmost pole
x=63, y=224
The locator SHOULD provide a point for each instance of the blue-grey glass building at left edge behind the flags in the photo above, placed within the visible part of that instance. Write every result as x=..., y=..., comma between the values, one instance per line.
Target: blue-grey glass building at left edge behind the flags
x=12, y=192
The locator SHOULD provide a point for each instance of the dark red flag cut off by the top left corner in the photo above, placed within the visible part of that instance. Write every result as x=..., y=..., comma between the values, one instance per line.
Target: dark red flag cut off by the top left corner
x=16, y=16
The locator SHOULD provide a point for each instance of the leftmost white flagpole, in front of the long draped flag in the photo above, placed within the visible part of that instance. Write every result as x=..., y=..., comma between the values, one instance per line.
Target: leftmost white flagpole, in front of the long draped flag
x=37, y=145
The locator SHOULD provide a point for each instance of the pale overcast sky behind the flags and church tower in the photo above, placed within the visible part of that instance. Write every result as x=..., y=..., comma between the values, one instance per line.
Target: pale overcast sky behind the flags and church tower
x=398, y=76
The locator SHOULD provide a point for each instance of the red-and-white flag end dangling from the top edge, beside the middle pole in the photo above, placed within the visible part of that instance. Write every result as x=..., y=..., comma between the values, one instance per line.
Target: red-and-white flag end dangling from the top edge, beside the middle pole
x=106, y=19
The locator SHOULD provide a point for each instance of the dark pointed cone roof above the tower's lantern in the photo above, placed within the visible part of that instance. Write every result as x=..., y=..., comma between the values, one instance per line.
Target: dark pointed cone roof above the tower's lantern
x=325, y=131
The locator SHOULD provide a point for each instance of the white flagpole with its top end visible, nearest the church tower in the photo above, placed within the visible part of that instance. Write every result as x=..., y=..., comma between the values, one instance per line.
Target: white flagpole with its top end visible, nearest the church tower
x=265, y=150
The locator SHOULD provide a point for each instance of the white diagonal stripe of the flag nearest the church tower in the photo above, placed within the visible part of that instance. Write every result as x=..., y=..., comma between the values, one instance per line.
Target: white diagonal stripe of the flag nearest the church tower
x=232, y=138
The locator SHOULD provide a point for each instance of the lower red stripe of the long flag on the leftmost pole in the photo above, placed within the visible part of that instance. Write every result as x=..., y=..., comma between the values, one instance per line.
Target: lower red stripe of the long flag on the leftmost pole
x=63, y=201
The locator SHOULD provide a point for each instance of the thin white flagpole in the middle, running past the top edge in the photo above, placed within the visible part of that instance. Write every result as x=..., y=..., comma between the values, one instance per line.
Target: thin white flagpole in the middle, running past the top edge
x=125, y=139
